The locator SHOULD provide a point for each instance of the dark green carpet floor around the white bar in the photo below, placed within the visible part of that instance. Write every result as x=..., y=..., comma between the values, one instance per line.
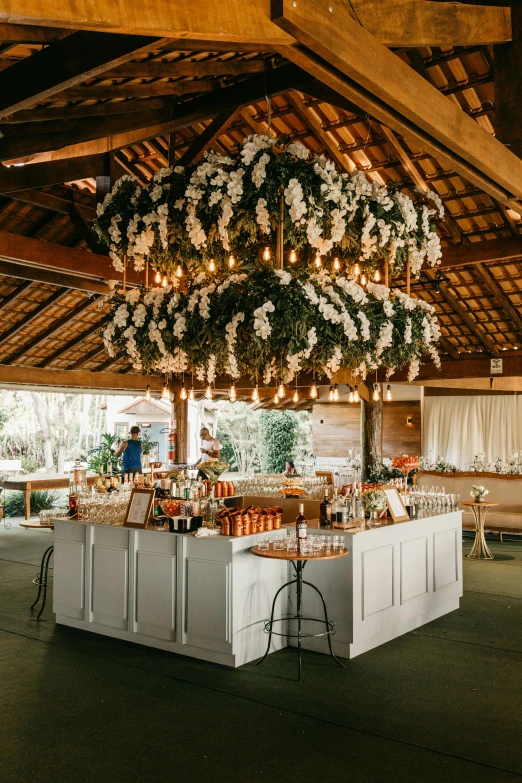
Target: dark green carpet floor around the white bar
x=443, y=703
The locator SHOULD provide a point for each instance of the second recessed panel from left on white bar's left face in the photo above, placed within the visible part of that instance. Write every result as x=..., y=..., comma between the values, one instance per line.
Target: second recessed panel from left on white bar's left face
x=110, y=584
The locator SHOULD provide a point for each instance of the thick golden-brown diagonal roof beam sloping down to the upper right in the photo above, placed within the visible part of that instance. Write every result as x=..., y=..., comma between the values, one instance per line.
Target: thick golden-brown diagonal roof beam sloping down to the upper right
x=339, y=52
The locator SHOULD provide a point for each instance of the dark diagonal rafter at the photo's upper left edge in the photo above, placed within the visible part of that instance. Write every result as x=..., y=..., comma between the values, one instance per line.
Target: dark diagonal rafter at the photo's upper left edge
x=82, y=55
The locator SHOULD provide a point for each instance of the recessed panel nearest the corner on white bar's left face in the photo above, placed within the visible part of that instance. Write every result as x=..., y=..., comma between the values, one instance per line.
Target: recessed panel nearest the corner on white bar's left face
x=207, y=619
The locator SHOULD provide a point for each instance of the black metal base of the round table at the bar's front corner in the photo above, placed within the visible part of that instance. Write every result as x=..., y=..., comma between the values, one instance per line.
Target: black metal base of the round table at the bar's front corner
x=300, y=635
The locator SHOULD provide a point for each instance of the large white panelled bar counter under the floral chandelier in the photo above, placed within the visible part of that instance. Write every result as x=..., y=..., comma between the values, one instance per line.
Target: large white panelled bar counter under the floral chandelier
x=209, y=597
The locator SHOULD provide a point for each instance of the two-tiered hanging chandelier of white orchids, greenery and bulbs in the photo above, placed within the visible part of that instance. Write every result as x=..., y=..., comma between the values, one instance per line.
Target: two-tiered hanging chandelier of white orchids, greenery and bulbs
x=210, y=234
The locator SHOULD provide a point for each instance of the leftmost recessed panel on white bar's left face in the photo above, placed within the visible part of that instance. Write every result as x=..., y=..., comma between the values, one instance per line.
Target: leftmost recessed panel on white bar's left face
x=69, y=578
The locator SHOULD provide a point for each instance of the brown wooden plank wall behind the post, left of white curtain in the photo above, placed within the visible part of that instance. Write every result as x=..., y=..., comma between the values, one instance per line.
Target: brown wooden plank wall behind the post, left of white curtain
x=336, y=428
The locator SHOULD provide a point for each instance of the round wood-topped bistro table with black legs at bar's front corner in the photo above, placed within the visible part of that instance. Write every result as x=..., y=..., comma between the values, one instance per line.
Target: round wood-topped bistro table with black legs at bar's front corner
x=299, y=562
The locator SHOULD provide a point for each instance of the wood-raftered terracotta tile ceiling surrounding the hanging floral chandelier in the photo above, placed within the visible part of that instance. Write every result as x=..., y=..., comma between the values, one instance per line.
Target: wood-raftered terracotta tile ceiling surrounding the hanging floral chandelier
x=80, y=108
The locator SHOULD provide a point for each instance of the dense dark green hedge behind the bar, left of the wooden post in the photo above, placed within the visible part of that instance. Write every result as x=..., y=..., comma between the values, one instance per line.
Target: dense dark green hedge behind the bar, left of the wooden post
x=277, y=439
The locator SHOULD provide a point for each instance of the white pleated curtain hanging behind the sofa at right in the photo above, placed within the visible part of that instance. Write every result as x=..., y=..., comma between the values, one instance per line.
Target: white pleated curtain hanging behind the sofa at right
x=458, y=428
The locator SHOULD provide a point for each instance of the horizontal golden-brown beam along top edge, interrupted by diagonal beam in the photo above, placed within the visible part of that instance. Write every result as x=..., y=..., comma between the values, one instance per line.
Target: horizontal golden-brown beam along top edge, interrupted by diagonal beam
x=408, y=23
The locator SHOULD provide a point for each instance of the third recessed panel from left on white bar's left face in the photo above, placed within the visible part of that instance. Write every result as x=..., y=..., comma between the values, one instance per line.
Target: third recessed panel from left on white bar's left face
x=156, y=594
